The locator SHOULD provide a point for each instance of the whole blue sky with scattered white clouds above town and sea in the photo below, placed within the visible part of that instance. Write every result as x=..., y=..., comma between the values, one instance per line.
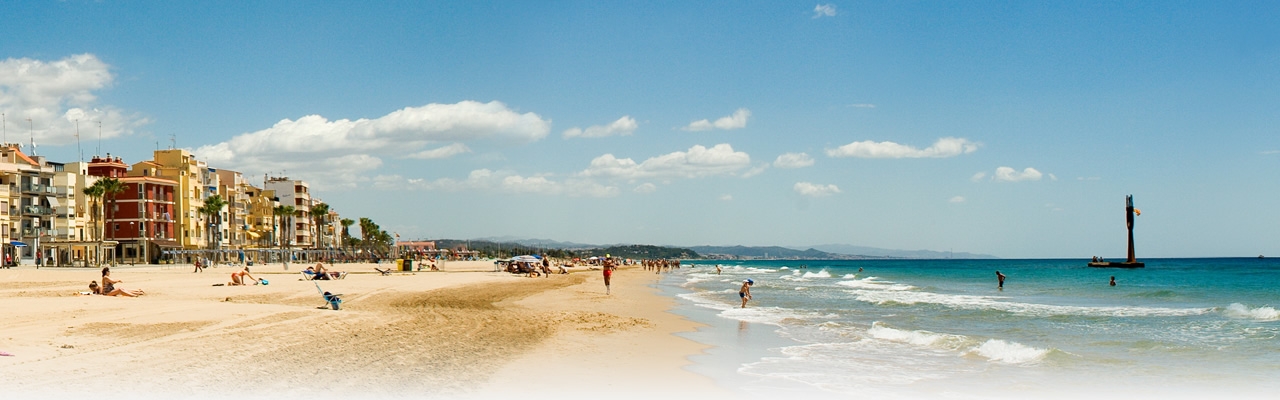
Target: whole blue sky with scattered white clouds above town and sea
x=1009, y=129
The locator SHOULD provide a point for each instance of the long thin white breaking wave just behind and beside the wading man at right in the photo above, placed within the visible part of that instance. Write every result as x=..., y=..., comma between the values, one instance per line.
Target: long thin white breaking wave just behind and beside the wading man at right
x=994, y=303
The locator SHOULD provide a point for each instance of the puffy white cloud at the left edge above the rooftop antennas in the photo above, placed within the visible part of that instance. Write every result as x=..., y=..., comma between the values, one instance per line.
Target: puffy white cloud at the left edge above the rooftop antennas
x=56, y=94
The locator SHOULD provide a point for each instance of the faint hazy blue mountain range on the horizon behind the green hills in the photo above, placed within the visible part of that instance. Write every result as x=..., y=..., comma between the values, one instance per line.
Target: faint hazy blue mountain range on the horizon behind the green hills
x=821, y=252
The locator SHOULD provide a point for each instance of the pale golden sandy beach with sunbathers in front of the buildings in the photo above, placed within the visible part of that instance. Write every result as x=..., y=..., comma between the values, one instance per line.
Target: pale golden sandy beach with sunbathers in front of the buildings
x=465, y=333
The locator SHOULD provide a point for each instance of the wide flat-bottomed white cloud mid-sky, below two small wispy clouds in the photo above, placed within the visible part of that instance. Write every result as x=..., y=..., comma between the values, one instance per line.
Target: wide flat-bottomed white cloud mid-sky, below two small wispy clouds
x=698, y=162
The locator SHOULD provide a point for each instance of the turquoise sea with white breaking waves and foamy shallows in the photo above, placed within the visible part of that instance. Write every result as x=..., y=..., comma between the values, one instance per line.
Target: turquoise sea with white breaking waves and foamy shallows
x=1180, y=329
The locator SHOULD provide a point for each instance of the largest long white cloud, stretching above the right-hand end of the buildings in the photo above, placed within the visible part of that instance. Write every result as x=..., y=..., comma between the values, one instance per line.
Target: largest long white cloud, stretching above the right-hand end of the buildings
x=304, y=147
